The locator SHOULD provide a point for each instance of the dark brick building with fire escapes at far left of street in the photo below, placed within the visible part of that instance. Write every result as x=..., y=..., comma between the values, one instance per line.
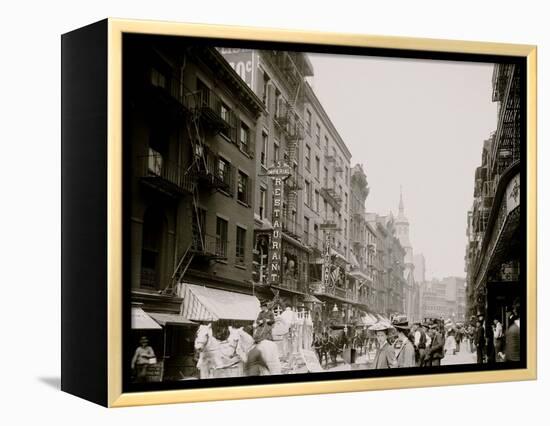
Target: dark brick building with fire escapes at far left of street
x=189, y=126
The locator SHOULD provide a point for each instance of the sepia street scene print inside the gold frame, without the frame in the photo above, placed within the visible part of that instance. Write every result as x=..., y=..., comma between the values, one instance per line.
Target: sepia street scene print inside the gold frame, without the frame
x=294, y=211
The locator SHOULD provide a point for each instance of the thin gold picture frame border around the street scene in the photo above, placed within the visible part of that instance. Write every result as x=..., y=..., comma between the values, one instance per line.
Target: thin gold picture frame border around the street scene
x=115, y=397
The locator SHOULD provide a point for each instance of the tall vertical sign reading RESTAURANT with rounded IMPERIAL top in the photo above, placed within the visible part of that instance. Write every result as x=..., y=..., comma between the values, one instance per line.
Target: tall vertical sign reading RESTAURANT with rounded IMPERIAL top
x=279, y=172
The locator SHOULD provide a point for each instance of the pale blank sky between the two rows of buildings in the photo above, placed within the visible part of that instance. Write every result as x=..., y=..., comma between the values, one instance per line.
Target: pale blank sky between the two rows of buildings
x=419, y=124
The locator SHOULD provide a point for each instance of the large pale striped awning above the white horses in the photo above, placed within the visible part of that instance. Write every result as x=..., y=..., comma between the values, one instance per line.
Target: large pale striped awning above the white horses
x=209, y=304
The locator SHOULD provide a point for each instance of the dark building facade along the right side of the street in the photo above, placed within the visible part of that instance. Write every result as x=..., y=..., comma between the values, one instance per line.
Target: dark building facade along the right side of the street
x=495, y=282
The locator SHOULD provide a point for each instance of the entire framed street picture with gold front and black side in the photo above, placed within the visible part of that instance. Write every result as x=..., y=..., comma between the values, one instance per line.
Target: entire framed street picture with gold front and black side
x=255, y=212
